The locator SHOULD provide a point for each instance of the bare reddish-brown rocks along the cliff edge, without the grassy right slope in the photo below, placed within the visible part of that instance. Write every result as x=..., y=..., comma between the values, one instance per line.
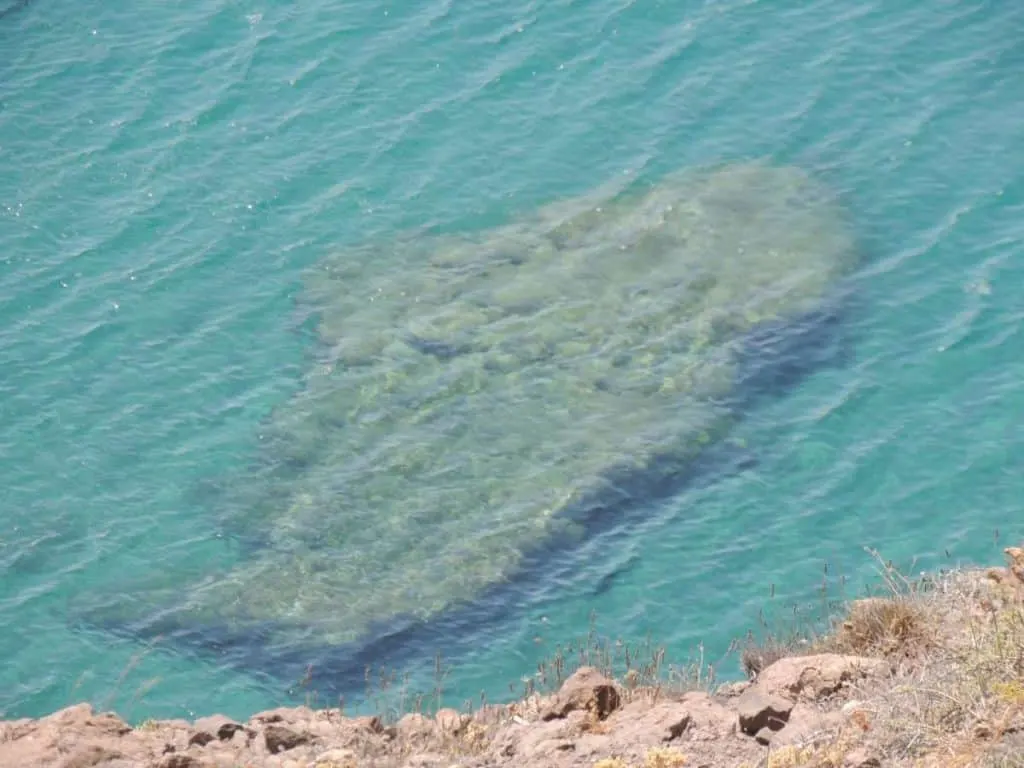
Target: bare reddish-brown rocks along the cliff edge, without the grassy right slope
x=590, y=718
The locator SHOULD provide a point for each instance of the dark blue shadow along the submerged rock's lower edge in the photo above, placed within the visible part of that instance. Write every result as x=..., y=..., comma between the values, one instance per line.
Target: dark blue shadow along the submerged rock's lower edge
x=777, y=361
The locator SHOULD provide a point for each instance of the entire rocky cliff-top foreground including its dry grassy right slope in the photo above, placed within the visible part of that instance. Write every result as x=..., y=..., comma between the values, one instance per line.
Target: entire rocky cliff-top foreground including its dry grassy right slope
x=930, y=675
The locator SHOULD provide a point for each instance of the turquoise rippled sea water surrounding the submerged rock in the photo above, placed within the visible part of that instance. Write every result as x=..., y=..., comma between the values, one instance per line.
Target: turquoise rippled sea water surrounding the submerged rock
x=169, y=174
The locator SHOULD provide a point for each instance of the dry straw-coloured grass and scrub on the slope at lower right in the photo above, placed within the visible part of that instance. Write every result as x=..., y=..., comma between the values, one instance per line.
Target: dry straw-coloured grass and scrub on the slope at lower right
x=957, y=694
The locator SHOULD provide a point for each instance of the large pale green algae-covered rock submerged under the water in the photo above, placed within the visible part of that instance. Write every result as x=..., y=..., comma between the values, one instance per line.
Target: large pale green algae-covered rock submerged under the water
x=495, y=390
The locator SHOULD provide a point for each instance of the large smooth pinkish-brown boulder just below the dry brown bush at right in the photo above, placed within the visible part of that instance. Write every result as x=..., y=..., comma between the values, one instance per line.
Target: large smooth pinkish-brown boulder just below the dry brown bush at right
x=812, y=678
